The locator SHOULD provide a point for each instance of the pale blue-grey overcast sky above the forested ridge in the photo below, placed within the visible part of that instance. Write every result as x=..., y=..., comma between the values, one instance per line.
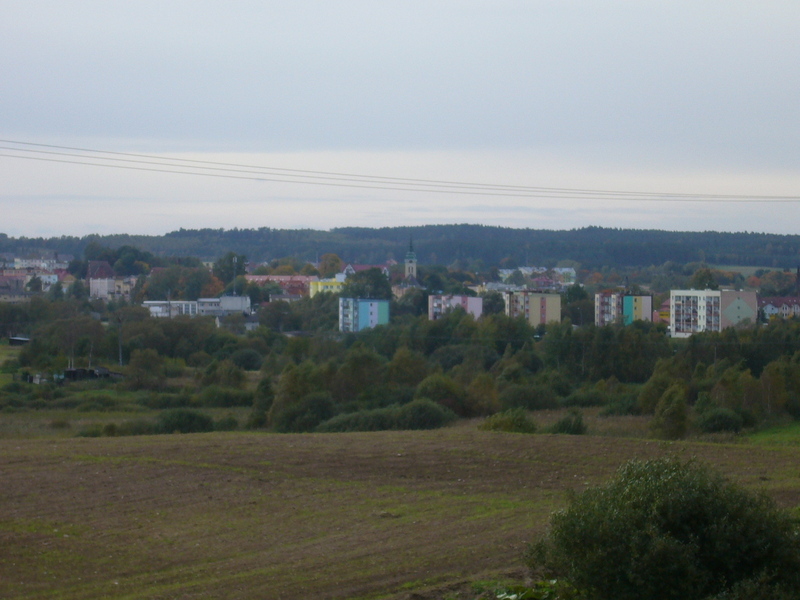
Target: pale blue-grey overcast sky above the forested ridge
x=548, y=114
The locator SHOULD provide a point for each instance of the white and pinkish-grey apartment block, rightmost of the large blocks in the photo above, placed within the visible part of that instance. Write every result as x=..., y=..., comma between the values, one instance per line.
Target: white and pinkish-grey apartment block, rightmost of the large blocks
x=695, y=311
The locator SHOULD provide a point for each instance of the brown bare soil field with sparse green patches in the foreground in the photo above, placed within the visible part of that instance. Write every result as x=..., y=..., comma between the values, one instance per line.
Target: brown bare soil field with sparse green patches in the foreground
x=392, y=515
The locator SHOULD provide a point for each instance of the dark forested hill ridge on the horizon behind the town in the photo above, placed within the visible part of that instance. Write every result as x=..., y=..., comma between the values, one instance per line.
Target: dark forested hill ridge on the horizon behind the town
x=592, y=247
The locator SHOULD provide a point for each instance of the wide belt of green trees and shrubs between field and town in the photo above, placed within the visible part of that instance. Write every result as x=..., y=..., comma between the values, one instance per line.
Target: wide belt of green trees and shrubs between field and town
x=456, y=366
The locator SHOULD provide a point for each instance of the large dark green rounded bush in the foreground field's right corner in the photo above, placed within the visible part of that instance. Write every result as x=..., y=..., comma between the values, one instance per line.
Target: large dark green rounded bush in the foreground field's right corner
x=670, y=530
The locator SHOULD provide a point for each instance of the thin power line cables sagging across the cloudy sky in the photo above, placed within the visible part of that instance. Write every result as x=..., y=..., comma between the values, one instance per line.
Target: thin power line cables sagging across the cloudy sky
x=229, y=170
